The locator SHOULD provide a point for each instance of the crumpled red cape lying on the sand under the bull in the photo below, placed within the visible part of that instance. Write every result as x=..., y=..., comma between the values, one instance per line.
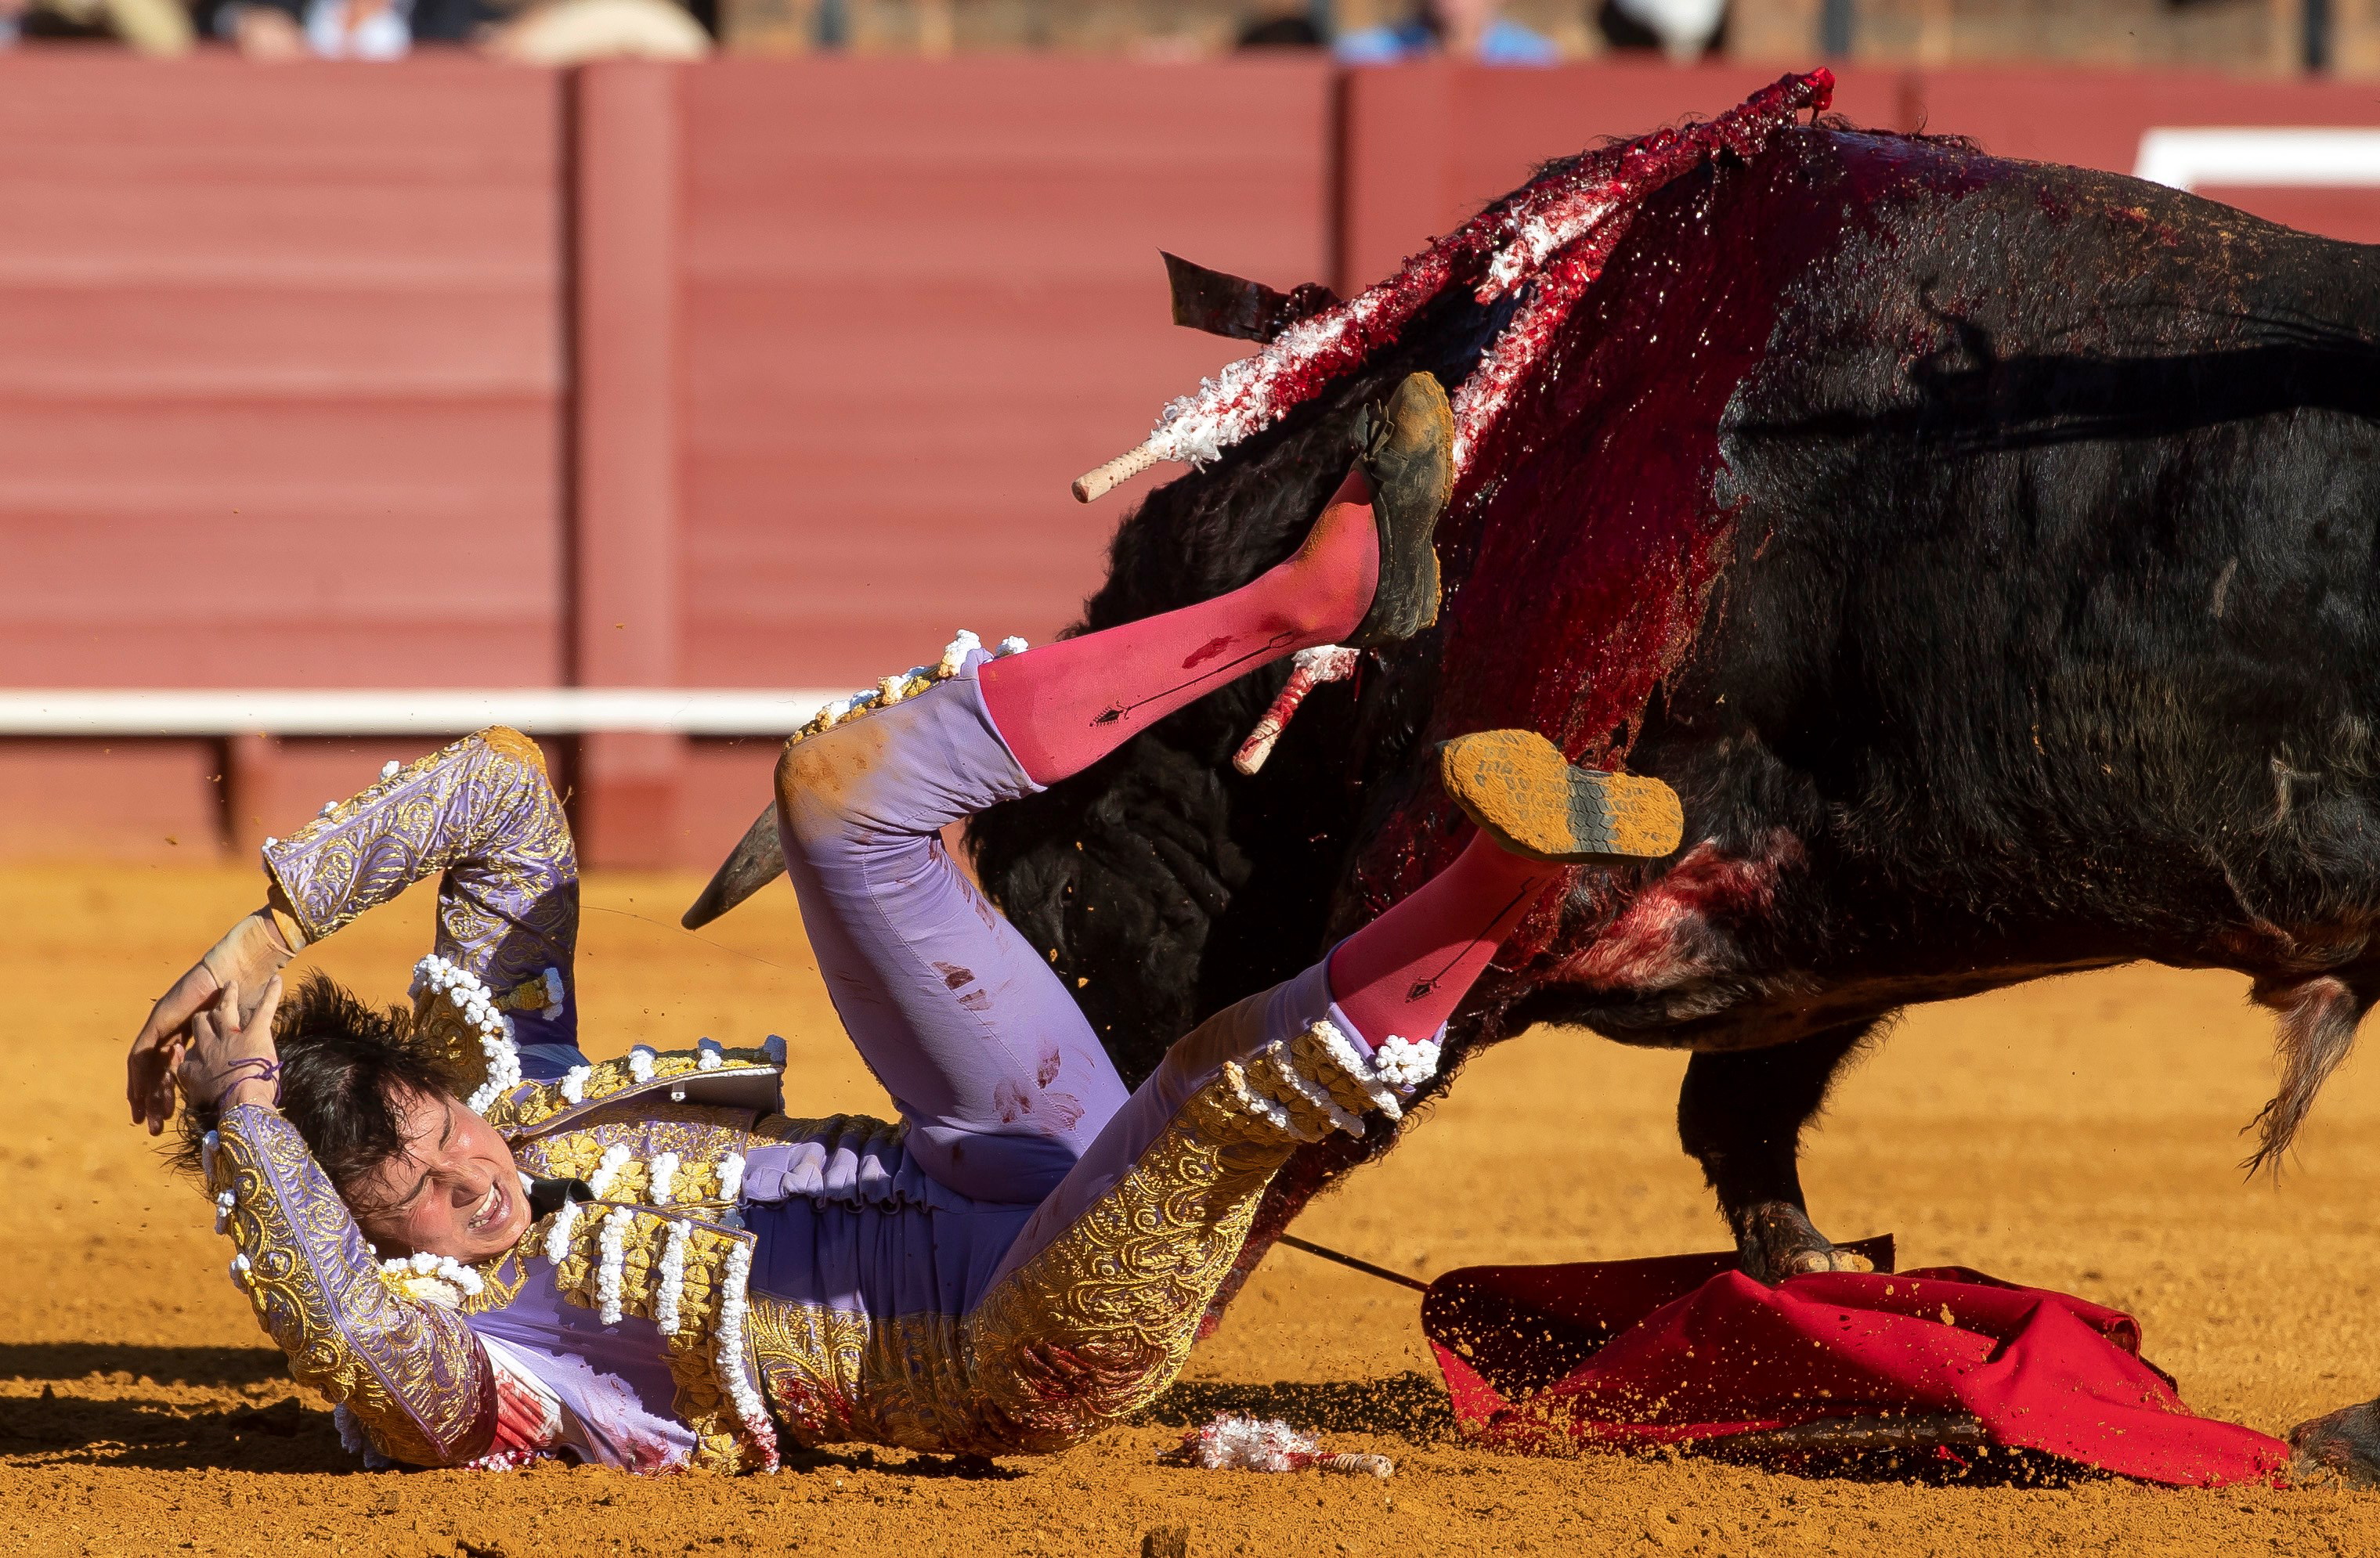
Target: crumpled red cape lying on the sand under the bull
x=1639, y=1355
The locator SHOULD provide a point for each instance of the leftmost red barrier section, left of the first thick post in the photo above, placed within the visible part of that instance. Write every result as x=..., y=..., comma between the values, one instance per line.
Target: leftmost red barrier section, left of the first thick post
x=280, y=389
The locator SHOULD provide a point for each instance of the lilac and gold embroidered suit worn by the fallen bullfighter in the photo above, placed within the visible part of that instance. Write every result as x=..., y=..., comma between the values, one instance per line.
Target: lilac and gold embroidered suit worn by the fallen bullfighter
x=1015, y=1264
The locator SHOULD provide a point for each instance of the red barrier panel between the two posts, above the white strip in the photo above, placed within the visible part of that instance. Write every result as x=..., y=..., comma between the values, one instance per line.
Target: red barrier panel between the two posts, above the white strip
x=920, y=301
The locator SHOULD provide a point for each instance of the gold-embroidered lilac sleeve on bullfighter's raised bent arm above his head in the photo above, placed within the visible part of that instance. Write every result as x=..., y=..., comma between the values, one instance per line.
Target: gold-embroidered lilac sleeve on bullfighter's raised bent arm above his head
x=484, y=815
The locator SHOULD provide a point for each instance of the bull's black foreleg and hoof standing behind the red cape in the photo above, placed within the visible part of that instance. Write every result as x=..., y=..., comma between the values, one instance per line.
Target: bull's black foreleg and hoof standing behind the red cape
x=1741, y=1114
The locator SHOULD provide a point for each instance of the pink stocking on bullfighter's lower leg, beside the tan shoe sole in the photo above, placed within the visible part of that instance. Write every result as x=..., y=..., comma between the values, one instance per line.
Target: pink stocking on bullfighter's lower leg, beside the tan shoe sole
x=1408, y=972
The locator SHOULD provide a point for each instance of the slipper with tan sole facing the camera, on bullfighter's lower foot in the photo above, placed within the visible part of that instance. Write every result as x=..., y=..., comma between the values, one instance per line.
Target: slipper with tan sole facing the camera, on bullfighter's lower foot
x=1527, y=798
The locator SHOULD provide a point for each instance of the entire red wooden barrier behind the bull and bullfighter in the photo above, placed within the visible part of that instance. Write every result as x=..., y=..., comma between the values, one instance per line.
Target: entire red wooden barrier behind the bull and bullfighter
x=284, y=396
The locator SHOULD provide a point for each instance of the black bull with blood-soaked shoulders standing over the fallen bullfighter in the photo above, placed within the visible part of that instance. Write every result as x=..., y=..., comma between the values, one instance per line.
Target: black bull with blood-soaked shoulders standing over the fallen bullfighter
x=2041, y=636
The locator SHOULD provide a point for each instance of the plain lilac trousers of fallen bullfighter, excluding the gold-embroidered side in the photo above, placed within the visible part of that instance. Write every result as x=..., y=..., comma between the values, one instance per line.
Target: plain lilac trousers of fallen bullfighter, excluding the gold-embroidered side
x=1015, y=1117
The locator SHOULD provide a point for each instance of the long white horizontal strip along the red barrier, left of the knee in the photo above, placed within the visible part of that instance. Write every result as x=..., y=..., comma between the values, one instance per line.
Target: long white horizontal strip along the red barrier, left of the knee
x=399, y=712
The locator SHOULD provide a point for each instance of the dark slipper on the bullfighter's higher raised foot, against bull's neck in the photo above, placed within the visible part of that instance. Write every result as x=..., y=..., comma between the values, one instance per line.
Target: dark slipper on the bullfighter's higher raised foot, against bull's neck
x=1408, y=453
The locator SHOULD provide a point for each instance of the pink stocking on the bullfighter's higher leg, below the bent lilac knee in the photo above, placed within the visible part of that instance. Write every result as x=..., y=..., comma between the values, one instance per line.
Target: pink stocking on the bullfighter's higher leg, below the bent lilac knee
x=1067, y=705
